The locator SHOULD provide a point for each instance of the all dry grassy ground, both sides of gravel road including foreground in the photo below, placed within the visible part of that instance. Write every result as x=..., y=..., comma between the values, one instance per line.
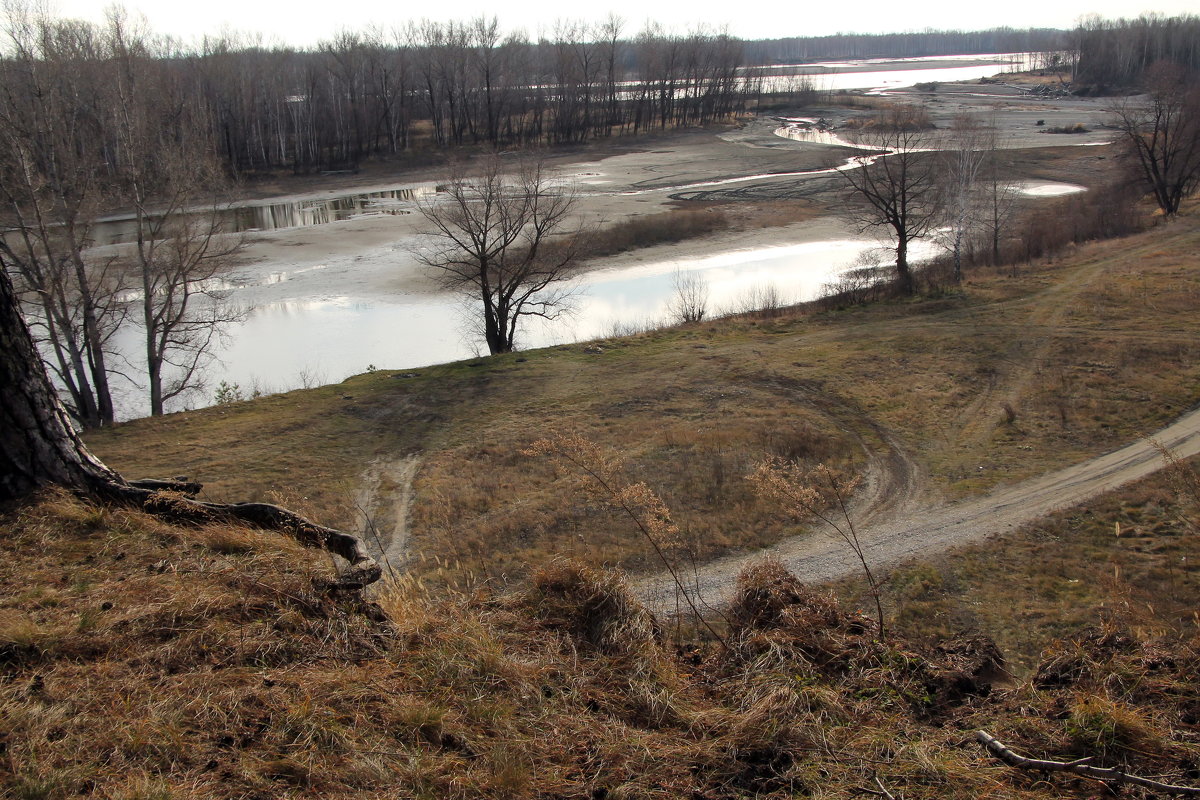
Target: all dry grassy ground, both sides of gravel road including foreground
x=143, y=660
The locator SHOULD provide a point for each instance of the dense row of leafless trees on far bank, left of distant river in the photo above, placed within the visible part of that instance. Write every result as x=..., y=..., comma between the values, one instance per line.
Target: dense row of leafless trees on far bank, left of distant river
x=376, y=93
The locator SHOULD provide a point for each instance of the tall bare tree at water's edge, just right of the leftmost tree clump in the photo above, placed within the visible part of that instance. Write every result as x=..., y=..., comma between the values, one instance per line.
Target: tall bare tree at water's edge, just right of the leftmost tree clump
x=167, y=172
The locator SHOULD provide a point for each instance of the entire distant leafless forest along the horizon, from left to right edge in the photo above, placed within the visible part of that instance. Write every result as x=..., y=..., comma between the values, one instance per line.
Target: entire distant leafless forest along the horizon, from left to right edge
x=441, y=86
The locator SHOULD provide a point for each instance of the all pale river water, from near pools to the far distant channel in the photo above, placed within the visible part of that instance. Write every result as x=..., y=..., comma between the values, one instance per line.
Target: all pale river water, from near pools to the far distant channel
x=310, y=324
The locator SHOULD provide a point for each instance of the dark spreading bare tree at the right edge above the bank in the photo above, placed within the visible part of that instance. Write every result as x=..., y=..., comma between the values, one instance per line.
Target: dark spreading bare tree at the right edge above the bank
x=1162, y=135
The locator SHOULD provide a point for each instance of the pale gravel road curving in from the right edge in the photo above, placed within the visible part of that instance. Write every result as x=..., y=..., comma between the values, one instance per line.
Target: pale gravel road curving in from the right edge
x=819, y=557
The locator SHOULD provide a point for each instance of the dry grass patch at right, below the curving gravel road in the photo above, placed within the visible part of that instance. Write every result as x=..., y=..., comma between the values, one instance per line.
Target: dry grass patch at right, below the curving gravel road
x=1129, y=556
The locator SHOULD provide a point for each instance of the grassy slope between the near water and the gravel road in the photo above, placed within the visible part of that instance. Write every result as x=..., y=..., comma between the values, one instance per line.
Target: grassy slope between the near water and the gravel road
x=1015, y=374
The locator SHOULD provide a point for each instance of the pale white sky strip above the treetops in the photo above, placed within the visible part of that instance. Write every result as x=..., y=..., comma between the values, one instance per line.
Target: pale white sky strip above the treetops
x=307, y=22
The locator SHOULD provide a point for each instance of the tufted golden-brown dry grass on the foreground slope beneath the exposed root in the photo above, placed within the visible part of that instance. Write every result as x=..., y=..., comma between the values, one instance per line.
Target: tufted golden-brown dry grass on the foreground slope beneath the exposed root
x=140, y=660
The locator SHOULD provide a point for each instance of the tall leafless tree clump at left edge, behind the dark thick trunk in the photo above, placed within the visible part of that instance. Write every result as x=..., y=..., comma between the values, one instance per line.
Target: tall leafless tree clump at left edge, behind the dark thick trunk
x=53, y=184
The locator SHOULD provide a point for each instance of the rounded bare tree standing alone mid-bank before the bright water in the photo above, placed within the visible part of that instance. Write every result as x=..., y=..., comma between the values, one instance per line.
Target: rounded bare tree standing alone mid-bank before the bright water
x=497, y=237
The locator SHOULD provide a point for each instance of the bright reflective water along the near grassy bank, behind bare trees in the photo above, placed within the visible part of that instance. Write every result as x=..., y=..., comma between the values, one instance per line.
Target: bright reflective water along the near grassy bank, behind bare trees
x=287, y=345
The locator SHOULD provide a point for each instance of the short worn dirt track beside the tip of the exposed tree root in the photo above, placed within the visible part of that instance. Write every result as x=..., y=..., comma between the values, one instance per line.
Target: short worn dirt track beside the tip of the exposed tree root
x=383, y=501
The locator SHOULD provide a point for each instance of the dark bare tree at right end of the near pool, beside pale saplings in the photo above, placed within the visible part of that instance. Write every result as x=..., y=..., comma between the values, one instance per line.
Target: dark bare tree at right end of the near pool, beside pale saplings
x=896, y=193
